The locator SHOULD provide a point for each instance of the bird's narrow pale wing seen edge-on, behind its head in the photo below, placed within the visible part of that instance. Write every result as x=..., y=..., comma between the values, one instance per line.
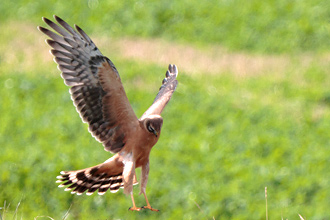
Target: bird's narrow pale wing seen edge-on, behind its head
x=165, y=92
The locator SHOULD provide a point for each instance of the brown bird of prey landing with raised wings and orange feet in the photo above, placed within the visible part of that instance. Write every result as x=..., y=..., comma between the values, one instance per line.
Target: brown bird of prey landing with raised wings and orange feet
x=100, y=99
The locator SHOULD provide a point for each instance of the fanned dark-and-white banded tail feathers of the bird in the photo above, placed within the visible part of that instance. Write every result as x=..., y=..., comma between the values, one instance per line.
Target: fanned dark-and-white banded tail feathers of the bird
x=90, y=180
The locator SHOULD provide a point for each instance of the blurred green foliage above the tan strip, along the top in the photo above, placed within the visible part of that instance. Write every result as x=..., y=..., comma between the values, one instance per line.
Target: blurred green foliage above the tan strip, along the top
x=272, y=26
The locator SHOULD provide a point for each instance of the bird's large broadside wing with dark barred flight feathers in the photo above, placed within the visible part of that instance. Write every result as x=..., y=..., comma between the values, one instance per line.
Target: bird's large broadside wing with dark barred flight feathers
x=96, y=88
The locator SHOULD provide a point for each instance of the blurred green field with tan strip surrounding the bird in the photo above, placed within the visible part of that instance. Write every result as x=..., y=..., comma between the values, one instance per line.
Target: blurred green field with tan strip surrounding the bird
x=252, y=108
